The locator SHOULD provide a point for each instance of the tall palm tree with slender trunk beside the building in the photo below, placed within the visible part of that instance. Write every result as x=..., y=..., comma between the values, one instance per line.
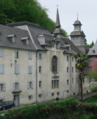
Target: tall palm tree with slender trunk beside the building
x=81, y=64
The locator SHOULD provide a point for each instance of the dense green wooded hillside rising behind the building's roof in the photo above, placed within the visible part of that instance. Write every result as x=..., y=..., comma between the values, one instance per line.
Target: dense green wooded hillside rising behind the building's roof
x=26, y=10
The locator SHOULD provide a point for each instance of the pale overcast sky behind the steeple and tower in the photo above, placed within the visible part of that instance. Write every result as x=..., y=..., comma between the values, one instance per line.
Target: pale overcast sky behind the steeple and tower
x=68, y=9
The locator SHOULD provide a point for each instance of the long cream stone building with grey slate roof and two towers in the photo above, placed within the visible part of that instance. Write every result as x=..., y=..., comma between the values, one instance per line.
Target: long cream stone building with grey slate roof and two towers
x=37, y=66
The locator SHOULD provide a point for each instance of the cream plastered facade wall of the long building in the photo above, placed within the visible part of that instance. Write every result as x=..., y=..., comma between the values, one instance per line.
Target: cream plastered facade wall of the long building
x=38, y=92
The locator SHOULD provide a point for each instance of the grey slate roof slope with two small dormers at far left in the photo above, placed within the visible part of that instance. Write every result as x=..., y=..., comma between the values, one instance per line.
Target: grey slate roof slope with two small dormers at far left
x=5, y=42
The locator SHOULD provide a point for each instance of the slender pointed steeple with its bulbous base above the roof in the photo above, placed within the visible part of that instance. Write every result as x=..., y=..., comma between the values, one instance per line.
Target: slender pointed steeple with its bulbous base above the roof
x=58, y=32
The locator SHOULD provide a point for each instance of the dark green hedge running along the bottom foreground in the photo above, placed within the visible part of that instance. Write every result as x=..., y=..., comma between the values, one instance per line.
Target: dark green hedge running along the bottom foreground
x=65, y=109
